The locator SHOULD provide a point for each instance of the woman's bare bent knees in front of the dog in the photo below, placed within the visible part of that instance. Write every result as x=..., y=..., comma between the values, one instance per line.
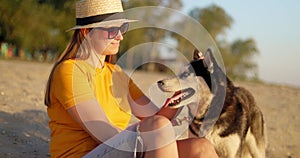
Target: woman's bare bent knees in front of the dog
x=159, y=141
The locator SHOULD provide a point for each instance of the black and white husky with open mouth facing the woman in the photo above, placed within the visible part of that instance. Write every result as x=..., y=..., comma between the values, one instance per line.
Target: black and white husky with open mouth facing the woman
x=227, y=115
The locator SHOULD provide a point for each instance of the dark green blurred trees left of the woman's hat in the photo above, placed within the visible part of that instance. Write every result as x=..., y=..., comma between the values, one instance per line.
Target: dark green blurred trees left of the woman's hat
x=35, y=25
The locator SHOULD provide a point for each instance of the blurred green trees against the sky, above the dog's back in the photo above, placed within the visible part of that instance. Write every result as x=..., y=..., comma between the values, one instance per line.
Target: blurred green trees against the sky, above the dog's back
x=237, y=56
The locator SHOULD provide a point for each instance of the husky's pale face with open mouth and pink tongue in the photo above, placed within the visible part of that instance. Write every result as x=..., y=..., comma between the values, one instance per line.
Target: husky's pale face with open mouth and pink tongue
x=194, y=79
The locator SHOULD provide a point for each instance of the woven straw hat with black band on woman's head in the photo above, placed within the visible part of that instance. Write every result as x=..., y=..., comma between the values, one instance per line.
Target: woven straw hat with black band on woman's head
x=99, y=13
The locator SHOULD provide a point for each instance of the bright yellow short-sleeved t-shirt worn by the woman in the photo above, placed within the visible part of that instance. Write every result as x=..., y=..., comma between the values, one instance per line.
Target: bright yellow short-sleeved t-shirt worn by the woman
x=76, y=81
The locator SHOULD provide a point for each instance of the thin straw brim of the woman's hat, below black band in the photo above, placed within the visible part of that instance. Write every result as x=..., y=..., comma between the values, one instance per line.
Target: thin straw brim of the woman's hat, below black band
x=102, y=24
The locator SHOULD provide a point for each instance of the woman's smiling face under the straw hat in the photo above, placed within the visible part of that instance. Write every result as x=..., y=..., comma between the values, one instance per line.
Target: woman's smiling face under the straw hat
x=101, y=42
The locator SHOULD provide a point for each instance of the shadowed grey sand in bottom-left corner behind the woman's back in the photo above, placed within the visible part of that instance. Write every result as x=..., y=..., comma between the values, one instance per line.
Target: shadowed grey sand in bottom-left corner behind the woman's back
x=26, y=132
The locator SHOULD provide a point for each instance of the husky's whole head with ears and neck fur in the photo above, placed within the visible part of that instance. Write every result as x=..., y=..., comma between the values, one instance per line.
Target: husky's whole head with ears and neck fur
x=204, y=73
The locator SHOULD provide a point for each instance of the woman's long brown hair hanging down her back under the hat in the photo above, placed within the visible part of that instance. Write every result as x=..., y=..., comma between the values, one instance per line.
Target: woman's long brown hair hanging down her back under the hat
x=71, y=52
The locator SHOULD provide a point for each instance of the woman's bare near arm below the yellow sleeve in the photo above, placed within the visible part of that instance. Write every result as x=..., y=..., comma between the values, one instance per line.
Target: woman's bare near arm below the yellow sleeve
x=93, y=120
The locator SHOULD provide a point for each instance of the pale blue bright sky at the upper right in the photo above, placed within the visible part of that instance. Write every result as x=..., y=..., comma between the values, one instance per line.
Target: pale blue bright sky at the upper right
x=274, y=25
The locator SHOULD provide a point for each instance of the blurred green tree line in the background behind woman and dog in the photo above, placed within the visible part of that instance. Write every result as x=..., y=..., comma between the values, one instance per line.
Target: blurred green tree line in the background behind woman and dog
x=39, y=26
